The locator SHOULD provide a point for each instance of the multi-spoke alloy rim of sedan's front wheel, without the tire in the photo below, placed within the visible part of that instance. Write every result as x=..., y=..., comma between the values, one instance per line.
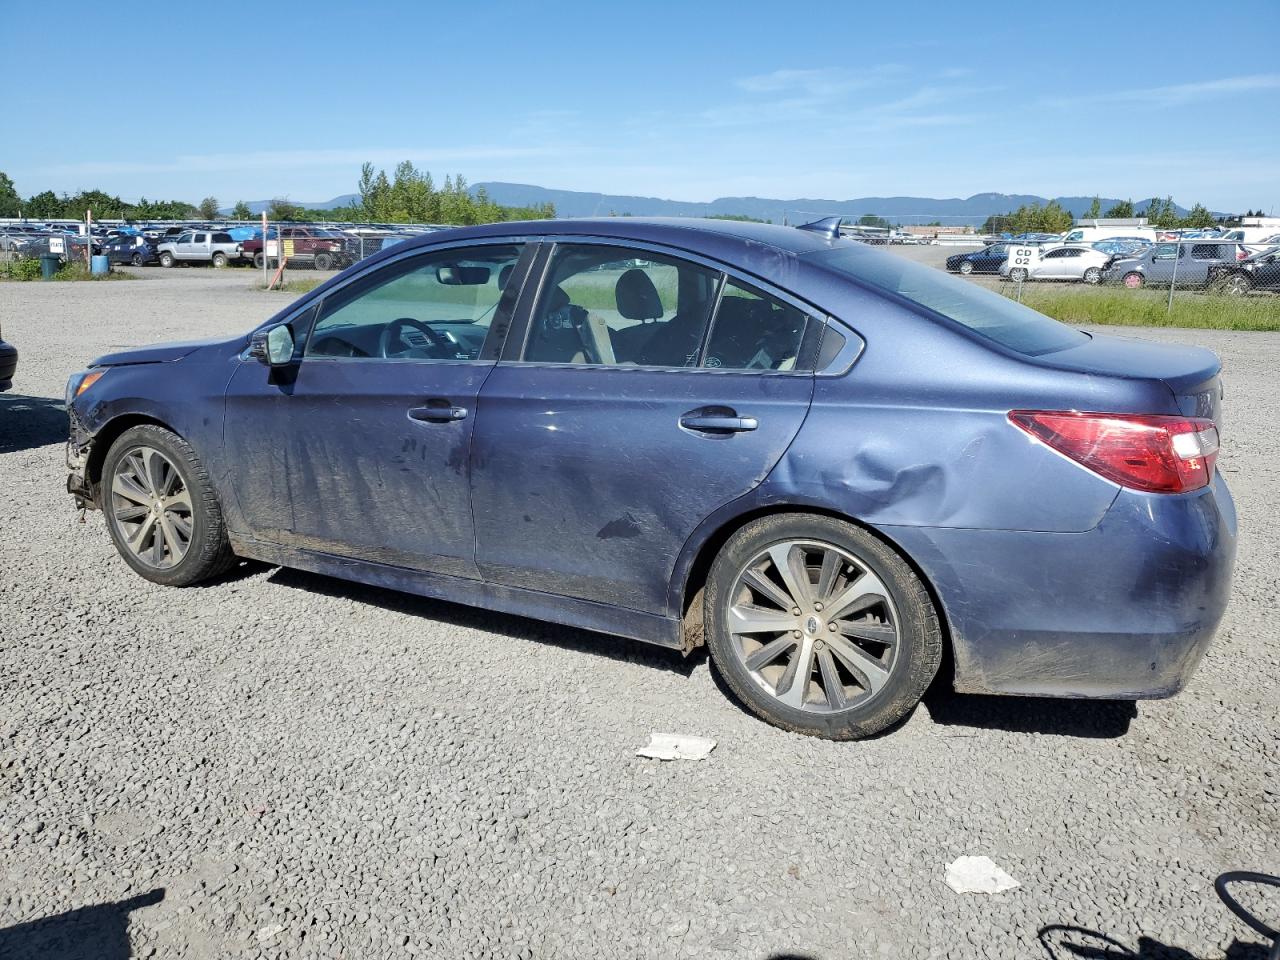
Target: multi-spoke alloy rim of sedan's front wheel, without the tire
x=152, y=509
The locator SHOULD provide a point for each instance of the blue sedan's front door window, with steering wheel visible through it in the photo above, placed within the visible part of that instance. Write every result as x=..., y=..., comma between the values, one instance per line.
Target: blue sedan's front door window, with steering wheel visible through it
x=436, y=307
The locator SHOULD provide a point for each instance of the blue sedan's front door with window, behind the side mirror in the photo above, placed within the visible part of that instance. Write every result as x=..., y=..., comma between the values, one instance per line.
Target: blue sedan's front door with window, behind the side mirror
x=362, y=450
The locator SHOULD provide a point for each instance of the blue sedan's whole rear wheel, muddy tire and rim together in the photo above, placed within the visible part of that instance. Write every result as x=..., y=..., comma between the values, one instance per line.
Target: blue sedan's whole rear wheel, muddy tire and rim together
x=897, y=604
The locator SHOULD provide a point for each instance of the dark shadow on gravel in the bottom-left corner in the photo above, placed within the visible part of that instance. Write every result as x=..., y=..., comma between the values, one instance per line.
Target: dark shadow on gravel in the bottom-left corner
x=89, y=934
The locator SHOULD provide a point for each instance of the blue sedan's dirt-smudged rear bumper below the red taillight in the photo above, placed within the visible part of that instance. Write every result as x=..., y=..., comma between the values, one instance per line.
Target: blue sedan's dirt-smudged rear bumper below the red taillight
x=1124, y=611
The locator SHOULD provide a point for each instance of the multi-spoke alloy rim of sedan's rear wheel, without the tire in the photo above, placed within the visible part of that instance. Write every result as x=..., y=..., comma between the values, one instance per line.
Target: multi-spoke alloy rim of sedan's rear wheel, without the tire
x=813, y=627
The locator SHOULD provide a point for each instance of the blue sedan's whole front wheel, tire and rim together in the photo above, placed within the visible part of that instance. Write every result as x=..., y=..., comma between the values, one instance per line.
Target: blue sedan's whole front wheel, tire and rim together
x=148, y=459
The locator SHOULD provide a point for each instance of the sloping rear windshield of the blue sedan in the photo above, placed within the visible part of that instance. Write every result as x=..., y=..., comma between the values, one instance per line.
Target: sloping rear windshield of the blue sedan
x=984, y=312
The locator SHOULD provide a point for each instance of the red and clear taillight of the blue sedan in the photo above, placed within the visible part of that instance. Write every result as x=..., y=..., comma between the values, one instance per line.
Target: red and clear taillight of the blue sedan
x=1151, y=454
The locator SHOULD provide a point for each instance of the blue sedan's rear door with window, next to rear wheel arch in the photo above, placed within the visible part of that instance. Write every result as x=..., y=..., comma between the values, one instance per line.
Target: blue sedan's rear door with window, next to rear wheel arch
x=616, y=423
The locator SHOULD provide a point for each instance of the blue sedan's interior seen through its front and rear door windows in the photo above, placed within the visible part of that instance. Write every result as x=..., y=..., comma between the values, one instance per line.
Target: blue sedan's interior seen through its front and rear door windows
x=596, y=309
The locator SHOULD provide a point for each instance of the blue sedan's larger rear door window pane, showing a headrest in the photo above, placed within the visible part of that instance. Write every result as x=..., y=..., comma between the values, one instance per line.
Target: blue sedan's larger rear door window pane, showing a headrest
x=614, y=307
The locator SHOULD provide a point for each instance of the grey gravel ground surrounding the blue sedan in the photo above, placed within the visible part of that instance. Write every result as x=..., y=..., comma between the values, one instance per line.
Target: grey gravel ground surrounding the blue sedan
x=282, y=765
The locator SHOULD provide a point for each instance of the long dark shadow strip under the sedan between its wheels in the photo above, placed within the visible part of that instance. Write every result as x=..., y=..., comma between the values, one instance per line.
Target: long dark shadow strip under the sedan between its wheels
x=615, y=648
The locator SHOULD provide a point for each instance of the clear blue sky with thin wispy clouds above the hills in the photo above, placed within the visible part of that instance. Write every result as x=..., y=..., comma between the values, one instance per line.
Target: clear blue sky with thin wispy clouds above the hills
x=682, y=100
